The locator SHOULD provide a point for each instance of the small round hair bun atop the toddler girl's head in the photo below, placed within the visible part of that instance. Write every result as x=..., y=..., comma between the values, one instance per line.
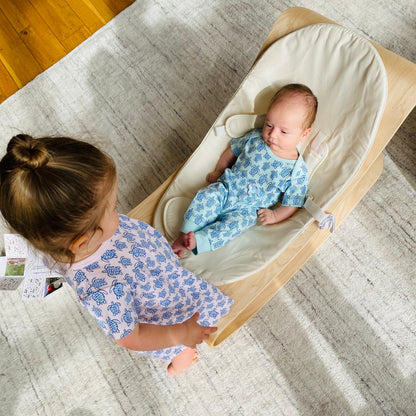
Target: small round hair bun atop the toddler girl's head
x=28, y=152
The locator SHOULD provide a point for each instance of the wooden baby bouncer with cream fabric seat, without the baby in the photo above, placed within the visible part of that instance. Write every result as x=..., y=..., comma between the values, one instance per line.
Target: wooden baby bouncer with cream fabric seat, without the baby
x=365, y=92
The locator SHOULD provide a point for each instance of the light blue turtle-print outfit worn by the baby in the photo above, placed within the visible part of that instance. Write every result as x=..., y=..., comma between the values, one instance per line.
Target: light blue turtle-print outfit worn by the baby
x=258, y=179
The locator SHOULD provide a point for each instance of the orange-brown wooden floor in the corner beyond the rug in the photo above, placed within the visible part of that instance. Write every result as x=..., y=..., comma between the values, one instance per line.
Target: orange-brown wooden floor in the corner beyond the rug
x=34, y=34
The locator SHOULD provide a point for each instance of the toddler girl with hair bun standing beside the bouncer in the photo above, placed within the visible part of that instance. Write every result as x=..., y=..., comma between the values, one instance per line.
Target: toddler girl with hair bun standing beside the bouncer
x=61, y=195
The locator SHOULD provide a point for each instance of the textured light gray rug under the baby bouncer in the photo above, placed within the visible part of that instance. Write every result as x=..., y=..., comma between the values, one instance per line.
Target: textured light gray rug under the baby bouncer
x=339, y=339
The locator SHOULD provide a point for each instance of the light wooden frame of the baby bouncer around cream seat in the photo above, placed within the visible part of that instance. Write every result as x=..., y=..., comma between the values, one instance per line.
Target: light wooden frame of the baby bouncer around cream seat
x=253, y=292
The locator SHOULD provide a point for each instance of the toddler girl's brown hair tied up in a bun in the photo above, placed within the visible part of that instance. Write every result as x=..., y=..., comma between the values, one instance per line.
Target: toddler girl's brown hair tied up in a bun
x=52, y=191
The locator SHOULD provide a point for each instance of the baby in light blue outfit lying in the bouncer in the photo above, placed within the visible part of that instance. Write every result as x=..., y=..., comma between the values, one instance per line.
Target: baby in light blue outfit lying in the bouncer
x=253, y=174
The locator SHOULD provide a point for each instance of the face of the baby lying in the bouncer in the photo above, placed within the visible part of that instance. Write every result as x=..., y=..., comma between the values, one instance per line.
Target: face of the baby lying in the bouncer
x=284, y=127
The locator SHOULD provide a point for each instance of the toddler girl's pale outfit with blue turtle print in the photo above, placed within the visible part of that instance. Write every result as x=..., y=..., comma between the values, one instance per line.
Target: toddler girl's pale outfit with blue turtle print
x=134, y=277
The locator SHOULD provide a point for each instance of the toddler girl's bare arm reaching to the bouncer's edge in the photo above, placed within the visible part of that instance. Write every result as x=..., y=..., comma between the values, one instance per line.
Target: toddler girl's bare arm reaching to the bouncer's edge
x=149, y=337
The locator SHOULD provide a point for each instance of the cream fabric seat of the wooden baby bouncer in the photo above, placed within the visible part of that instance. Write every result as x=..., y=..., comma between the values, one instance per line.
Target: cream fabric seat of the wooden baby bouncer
x=347, y=75
